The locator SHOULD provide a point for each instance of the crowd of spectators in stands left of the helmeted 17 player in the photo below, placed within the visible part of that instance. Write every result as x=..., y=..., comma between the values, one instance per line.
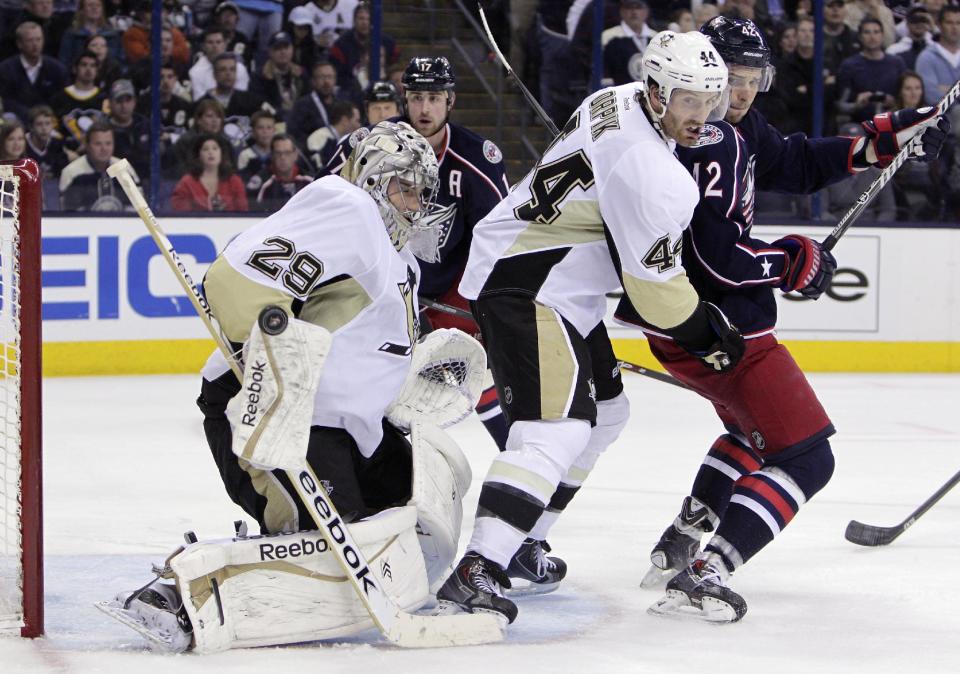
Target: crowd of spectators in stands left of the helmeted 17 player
x=254, y=96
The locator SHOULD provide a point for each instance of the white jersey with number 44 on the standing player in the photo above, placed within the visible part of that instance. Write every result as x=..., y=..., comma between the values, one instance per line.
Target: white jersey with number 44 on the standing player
x=605, y=206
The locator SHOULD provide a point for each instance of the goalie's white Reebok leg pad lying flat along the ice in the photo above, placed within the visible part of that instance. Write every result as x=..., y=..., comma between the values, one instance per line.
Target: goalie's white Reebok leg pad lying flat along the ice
x=282, y=589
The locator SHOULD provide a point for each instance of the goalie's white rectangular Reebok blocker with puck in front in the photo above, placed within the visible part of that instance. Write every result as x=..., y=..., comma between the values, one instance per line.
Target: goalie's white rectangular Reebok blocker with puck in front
x=275, y=406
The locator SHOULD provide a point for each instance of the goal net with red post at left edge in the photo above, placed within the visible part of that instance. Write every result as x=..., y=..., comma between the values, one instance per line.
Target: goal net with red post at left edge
x=21, y=531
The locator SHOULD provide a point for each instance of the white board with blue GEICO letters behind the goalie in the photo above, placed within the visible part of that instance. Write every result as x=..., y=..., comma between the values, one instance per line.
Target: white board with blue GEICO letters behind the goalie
x=105, y=279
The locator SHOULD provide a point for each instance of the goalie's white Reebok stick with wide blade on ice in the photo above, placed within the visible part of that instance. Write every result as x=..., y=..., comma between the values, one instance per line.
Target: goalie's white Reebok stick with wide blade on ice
x=399, y=626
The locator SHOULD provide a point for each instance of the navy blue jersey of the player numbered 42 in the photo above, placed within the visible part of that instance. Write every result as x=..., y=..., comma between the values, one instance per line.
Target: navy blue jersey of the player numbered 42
x=725, y=263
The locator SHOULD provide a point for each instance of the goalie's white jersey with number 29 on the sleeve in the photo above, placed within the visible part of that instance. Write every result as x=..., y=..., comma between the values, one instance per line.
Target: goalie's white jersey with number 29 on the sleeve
x=326, y=258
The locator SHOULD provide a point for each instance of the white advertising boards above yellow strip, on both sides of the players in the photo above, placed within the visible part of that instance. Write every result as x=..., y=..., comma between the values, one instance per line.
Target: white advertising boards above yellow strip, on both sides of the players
x=105, y=279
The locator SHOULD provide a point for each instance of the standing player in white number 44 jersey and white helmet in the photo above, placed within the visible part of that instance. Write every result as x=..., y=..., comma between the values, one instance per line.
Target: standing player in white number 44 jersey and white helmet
x=604, y=208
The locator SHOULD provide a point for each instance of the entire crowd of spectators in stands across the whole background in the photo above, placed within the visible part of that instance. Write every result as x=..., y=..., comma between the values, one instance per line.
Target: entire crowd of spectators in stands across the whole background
x=255, y=94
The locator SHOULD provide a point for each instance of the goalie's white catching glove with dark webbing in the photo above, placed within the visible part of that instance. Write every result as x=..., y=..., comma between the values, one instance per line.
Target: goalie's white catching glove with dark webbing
x=444, y=382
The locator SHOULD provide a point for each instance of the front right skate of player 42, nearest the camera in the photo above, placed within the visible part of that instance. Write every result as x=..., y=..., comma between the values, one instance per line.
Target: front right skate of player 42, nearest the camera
x=699, y=591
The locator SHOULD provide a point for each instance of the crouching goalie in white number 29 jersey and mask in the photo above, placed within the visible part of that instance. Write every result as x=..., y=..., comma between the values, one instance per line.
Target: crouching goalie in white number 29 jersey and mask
x=338, y=259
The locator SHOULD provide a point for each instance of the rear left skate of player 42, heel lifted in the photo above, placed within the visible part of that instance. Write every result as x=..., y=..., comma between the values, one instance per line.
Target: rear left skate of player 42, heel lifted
x=679, y=544
